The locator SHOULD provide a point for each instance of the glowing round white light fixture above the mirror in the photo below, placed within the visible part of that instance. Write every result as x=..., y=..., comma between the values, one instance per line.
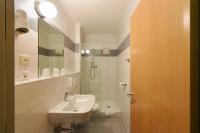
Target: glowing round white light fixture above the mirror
x=45, y=9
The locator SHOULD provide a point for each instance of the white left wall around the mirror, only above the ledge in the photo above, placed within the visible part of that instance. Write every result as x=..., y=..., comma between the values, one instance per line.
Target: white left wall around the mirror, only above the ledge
x=28, y=43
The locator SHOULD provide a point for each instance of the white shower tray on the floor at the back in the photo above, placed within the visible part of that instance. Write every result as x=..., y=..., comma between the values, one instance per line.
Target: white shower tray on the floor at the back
x=107, y=109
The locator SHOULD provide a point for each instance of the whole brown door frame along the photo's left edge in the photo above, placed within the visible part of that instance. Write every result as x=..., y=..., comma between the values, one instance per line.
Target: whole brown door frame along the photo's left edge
x=7, y=46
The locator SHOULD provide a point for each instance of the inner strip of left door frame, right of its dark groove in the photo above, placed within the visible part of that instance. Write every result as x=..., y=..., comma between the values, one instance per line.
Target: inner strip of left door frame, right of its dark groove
x=10, y=66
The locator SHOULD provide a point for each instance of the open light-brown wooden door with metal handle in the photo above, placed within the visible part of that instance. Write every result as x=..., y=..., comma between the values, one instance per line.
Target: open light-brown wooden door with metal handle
x=160, y=64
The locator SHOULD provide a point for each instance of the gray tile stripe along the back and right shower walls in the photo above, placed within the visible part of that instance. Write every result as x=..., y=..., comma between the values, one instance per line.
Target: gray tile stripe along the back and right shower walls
x=113, y=52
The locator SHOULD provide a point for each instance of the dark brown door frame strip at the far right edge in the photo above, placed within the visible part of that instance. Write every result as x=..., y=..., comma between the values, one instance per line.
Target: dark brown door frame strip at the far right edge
x=194, y=65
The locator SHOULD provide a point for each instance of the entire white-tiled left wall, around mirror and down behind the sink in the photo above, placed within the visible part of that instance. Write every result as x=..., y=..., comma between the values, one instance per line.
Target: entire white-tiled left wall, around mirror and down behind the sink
x=33, y=100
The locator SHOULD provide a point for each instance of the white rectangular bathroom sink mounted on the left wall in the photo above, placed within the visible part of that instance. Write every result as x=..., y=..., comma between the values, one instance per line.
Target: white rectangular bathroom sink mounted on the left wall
x=79, y=113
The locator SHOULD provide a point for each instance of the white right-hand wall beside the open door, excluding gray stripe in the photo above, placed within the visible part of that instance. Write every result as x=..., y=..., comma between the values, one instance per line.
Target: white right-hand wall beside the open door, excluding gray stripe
x=123, y=67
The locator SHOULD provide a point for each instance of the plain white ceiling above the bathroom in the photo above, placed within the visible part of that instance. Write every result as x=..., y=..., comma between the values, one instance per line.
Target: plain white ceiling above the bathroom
x=96, y=16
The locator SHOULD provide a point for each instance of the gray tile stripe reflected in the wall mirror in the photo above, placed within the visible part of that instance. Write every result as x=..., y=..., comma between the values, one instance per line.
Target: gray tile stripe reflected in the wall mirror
x=48, y=52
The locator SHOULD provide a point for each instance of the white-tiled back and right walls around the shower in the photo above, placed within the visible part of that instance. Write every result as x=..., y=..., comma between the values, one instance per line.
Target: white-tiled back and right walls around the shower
x=111, y=70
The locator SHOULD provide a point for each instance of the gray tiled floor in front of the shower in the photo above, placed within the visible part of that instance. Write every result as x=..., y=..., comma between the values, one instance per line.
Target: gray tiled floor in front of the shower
x=102, y=125
